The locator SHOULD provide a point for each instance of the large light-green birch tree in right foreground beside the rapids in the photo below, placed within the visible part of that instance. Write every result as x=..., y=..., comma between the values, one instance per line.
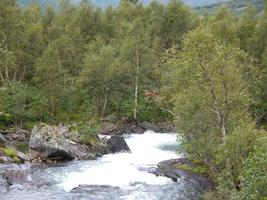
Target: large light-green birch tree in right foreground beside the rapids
x=209, y=85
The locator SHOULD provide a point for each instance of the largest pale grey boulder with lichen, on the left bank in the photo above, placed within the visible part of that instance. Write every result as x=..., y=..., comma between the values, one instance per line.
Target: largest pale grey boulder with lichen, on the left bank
x=48, y=142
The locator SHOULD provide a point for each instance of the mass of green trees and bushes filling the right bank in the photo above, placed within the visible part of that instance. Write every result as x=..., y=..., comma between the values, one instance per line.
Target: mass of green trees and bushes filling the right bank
x=217, y=82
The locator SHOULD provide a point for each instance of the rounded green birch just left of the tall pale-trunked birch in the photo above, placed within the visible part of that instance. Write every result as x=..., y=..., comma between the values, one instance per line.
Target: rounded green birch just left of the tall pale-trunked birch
x=99, y=76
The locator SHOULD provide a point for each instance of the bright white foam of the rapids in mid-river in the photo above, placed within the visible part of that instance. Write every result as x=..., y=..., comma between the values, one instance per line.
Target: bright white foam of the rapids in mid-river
x=123, y=169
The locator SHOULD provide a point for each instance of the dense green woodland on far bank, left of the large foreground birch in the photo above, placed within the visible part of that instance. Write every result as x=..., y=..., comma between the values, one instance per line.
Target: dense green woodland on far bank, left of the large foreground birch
x=79, y=62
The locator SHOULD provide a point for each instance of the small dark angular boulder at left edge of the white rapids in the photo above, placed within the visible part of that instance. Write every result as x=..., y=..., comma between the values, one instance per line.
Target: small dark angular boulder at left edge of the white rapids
x=117, y=144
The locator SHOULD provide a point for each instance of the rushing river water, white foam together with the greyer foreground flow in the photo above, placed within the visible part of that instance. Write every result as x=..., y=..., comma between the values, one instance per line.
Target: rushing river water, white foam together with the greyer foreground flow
x=121, y=176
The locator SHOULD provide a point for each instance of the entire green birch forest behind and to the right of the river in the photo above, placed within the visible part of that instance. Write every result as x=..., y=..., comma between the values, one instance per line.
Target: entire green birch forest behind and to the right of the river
x=205, y=73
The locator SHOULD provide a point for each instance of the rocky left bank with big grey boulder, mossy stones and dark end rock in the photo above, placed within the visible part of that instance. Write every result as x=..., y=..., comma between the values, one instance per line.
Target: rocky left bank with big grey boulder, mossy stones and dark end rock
x=52, y=144
